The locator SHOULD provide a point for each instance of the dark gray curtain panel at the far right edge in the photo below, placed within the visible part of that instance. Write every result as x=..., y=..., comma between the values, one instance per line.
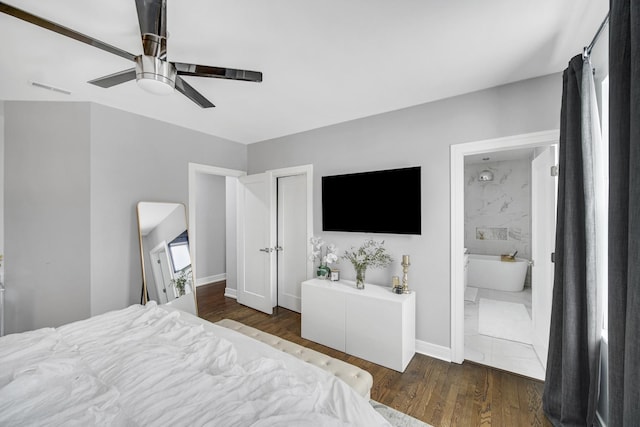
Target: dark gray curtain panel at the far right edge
x=624, y=213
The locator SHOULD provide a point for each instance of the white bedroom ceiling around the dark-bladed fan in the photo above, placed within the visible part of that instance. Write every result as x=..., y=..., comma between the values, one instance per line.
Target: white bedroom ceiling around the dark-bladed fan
x=323, y=62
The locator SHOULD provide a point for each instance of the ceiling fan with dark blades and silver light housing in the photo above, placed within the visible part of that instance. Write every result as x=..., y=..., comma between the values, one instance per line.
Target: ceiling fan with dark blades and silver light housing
x=152, y=70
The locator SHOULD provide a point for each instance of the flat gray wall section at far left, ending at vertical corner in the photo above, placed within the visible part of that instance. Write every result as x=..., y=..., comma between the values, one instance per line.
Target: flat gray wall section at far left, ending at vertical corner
x=46, y=214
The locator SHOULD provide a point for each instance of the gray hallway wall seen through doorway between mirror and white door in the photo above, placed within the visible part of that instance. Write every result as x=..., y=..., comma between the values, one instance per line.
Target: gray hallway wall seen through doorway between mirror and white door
x=210, y=226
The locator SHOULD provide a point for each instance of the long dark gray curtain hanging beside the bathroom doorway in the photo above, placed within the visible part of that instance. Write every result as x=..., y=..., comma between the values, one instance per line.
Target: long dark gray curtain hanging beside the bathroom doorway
x=571, y=382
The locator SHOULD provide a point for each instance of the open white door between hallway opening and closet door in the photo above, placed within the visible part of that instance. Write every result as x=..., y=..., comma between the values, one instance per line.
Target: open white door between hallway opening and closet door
x=255, y=243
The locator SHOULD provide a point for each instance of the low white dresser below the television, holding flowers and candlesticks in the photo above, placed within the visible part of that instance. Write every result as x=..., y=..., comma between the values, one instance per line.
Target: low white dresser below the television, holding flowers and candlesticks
x=373, y=324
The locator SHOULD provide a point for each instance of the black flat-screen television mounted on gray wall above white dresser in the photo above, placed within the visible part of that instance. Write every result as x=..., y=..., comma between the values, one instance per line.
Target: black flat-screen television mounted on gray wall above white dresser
x=386, y=201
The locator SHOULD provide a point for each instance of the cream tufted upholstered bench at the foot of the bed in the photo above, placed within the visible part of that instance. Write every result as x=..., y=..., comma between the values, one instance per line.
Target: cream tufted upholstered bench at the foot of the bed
x=359, y=379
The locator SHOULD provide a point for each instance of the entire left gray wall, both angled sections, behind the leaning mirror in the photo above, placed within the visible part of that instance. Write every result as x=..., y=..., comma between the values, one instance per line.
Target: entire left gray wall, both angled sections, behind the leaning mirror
x=74, y=174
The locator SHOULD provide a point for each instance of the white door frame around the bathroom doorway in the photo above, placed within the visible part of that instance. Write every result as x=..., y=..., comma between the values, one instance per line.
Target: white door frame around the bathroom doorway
x=458, y=152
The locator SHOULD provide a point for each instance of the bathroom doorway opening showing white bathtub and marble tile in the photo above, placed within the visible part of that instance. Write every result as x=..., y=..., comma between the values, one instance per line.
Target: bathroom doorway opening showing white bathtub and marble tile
x=509, y=209
